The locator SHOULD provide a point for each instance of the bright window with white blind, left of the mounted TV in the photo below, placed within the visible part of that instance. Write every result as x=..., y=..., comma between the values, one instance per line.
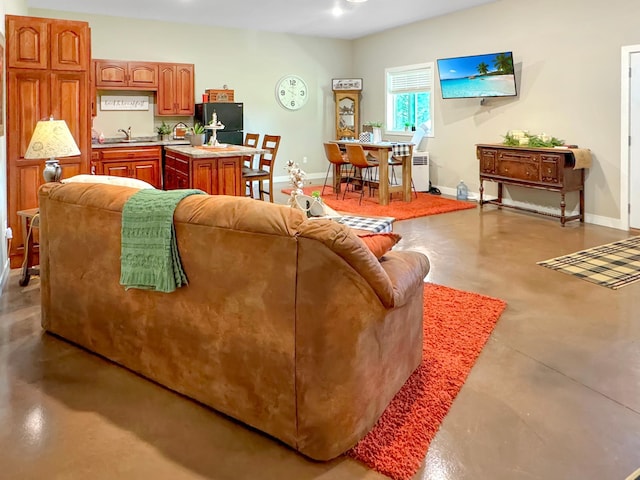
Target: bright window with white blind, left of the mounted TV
x=409, y=98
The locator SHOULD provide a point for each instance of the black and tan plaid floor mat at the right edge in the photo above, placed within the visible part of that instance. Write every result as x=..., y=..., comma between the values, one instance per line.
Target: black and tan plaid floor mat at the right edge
x=613, y=265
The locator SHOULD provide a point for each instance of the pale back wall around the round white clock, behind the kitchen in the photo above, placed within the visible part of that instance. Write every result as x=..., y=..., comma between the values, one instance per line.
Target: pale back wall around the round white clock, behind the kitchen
x=248, y=62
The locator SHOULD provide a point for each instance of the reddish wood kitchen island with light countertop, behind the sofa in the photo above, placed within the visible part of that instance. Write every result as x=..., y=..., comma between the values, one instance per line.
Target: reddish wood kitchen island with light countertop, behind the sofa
x=214, y=170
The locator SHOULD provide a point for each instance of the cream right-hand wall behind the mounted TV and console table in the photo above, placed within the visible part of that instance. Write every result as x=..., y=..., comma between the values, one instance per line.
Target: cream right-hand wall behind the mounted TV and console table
x=568, y=57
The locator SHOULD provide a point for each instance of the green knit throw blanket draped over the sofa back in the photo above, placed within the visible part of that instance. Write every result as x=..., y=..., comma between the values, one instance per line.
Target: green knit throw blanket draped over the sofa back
x=149, y=252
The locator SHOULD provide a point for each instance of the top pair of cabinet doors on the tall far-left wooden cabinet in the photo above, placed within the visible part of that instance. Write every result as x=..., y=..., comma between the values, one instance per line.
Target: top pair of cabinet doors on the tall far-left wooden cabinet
x=46, y=44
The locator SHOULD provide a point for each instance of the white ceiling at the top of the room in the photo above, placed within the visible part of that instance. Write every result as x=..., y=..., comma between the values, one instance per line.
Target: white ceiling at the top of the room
x=300, y=17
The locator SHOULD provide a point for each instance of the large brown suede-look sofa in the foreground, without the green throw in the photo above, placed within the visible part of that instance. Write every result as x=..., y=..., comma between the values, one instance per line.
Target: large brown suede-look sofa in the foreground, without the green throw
x=288, y=325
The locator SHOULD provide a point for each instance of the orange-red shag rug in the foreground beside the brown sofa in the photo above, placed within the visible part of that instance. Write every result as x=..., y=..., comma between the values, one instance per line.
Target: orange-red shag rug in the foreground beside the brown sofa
x=457, y=324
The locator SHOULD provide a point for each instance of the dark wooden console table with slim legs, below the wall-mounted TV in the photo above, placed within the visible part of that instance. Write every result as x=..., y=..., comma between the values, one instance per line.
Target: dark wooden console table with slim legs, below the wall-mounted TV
x=552, y=169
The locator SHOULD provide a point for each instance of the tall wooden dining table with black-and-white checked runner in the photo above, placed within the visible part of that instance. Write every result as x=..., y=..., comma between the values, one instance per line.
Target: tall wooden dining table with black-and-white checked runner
x=403, y=152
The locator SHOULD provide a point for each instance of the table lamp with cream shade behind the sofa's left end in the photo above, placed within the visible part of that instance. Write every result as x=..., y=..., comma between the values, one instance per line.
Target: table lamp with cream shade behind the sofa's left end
x=51, y=139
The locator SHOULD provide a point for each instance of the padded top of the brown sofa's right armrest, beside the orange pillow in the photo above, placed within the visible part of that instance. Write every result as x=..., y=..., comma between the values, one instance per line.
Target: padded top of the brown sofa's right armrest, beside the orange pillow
x=406, y=270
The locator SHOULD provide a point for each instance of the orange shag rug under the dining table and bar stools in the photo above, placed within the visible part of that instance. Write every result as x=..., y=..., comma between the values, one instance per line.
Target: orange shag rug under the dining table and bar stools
x=425, y=204
